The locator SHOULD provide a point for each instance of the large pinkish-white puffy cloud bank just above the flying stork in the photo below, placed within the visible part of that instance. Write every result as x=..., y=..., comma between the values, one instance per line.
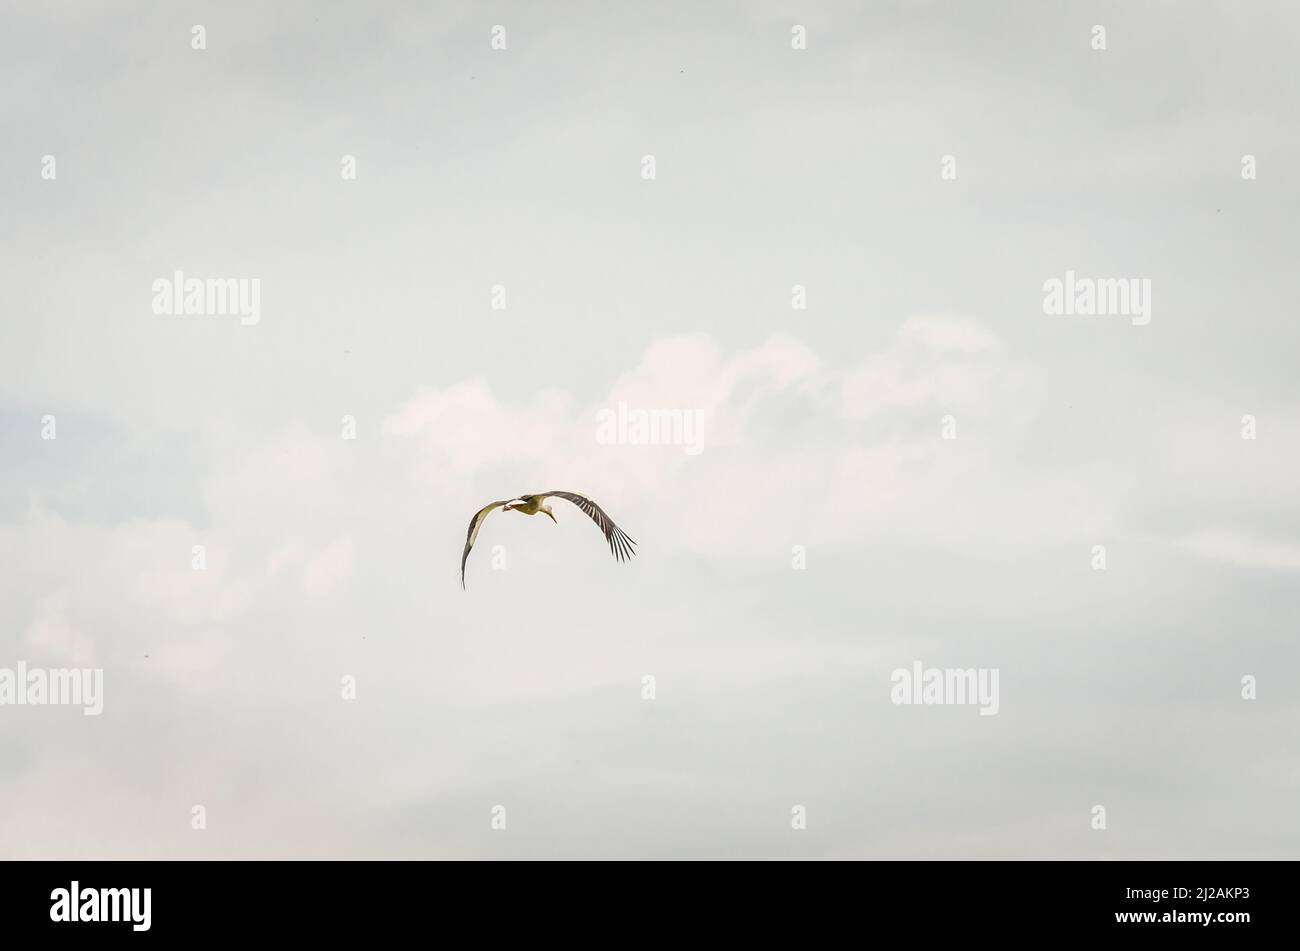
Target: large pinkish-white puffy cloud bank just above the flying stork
x=860, y=449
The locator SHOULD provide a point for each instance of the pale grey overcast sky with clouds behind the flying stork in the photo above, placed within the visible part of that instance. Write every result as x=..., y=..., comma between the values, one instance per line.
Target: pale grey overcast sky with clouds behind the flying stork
x=826, y=536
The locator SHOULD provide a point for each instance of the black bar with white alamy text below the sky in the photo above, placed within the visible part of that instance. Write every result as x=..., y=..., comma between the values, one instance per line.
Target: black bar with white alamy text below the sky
x=372, y=900
